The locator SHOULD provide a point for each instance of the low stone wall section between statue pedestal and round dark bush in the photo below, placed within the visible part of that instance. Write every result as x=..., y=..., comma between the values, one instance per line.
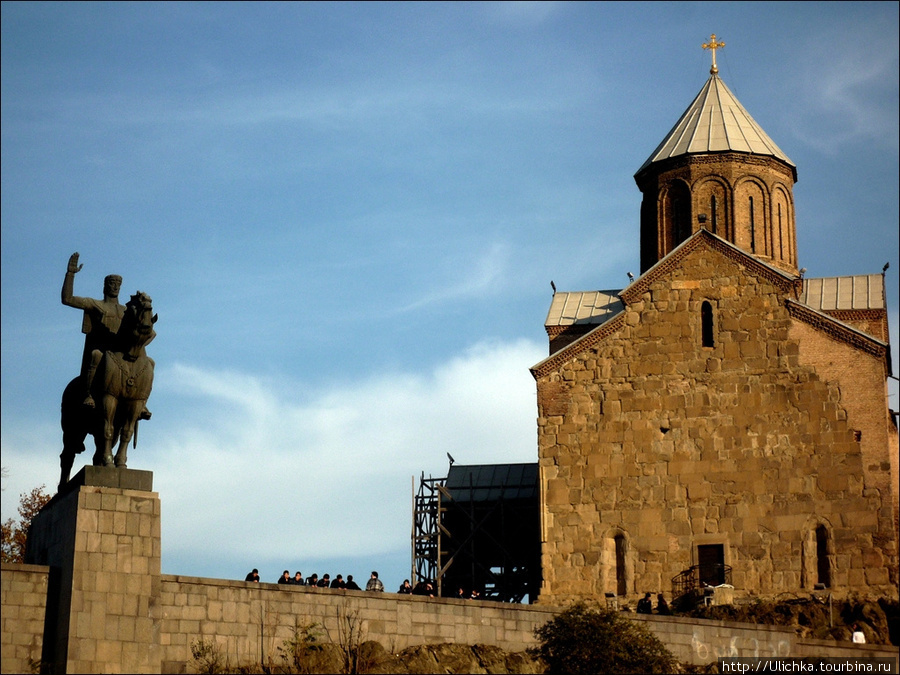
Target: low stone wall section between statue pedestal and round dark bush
x=250, y=621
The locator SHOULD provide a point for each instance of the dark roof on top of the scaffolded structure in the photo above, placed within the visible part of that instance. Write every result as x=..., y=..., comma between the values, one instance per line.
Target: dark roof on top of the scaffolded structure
x=492, y=482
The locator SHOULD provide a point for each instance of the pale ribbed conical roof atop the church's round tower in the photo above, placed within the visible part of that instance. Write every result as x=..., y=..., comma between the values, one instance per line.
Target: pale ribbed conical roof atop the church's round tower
x=716, y=122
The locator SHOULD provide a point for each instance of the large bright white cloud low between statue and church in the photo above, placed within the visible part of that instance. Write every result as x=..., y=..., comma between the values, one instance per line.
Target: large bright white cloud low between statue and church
x=276, y=473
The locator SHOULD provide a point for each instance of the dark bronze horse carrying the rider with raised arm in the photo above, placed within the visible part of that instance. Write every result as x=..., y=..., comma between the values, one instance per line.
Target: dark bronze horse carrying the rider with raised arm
x=120, y=387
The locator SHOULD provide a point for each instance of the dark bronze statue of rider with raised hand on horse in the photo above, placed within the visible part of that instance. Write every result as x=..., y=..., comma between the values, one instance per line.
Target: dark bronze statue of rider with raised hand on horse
x=109, y=396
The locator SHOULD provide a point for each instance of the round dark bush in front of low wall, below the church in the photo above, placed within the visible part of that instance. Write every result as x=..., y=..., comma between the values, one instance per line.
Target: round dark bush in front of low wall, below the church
x=582, y=640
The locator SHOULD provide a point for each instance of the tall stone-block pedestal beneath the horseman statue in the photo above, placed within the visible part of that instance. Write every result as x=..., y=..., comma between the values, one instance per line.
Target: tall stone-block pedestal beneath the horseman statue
x=100, y=536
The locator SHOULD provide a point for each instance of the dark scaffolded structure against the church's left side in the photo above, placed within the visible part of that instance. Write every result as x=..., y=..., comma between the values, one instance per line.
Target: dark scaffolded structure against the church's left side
x=478, y=529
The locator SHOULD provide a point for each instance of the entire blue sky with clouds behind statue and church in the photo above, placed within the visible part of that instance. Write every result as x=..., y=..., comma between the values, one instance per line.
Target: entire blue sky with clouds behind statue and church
x=348, y=217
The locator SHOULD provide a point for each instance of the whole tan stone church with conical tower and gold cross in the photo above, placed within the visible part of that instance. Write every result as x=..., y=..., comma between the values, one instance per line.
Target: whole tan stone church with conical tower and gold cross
x=723, y=420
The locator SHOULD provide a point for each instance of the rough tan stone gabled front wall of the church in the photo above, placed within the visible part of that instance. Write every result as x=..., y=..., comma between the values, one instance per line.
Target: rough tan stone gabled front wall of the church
x=647, y=435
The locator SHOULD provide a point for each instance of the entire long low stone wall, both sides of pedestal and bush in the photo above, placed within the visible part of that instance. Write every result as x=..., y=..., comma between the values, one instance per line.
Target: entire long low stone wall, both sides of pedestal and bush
x=250, y=621
